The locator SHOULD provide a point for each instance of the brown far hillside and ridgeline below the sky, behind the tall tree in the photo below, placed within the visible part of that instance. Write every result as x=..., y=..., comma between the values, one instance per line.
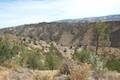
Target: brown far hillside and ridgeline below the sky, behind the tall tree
x=69, y=32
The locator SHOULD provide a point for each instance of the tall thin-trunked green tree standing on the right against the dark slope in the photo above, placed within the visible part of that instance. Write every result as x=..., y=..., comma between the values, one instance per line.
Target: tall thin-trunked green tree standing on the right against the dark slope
x=102, y=31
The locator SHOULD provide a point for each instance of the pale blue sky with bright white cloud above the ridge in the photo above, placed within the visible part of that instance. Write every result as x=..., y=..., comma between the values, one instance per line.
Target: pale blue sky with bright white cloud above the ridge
x=18, y=12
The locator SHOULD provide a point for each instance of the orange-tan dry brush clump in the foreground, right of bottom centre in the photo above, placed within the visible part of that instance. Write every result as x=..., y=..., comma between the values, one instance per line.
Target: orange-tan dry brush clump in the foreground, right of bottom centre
x=80, y=72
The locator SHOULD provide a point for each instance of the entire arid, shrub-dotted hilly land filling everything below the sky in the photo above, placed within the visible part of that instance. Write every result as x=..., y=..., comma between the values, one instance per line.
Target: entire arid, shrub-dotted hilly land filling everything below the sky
x=86, y=49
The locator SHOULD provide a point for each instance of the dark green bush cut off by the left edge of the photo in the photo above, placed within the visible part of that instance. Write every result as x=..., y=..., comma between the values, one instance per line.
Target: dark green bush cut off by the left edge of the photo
x=7, y=51
